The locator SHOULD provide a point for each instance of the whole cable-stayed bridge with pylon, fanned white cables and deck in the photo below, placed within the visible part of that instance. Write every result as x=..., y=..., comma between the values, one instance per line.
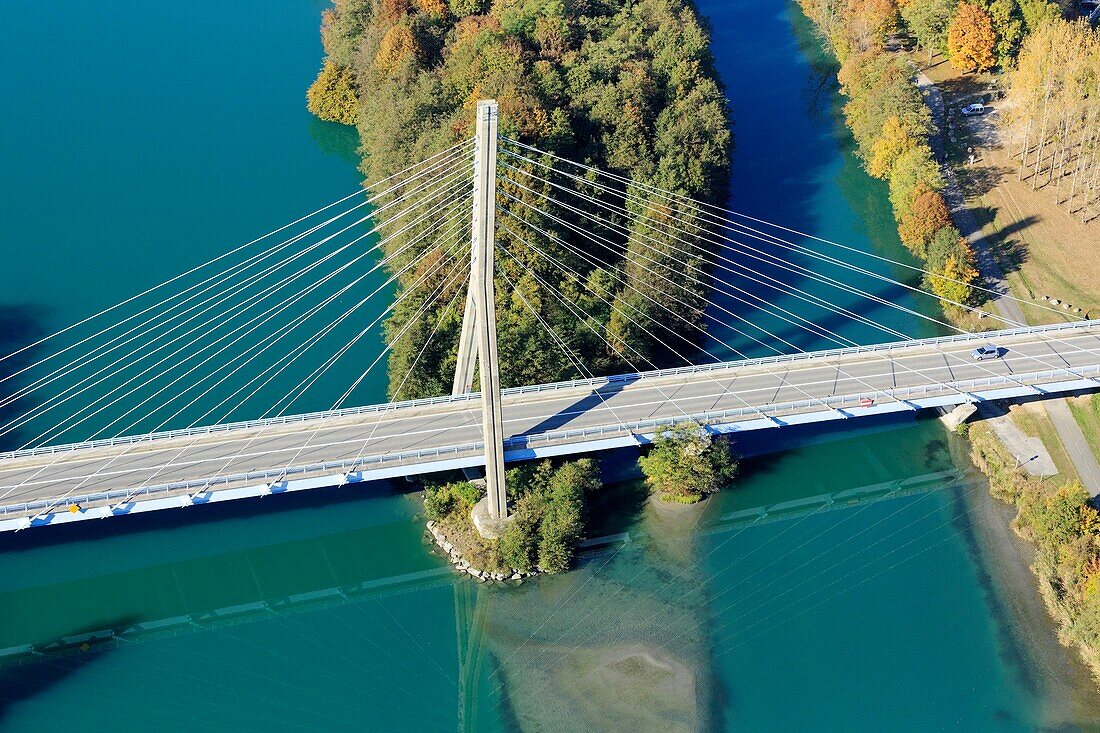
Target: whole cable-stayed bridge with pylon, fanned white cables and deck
x=455, y=231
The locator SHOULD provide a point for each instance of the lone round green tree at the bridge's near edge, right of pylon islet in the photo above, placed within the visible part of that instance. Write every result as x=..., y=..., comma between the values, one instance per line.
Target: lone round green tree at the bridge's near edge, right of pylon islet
x=687, y=463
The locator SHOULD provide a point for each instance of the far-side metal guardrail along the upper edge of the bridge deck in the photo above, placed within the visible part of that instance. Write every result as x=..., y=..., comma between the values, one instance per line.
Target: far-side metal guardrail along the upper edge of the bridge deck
x=368, y=410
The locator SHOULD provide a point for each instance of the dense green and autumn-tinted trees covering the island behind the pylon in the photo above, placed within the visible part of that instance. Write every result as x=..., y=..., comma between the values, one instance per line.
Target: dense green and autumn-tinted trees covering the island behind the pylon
x=629, y=87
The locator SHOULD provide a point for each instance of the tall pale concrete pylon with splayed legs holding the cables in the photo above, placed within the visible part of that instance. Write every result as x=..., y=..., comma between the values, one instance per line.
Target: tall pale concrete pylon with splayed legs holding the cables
x=478, y=345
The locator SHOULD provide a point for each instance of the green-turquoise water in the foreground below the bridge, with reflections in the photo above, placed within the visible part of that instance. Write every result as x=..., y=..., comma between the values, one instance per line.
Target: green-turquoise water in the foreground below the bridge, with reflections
x=681, y=619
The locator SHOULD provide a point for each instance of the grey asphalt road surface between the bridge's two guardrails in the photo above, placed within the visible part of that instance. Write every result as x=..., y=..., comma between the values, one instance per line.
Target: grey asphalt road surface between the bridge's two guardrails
x=758, y=390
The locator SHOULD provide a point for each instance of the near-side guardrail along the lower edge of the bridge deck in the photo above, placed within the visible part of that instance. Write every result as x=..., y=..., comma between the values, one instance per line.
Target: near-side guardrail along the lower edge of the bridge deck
x=718, y=418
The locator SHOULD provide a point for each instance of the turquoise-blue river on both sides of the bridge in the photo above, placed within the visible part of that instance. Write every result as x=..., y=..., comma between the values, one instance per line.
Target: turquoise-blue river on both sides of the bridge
x=144, y=138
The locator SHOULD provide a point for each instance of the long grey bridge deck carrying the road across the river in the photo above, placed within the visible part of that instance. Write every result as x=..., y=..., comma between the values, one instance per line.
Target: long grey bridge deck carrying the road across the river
x=422, y=435
